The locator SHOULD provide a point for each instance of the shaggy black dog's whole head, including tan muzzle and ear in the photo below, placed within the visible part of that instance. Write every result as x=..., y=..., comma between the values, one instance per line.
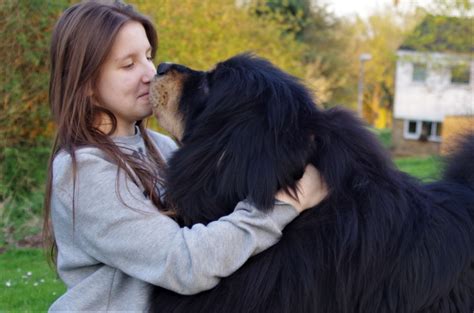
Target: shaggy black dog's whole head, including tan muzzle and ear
x=242, y=125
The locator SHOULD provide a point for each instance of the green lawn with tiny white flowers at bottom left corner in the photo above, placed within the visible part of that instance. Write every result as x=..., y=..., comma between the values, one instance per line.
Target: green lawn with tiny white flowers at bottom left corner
x=27, y=283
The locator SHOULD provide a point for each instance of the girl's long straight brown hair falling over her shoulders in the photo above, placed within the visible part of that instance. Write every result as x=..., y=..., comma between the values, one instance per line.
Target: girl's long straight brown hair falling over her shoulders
x=81, y=41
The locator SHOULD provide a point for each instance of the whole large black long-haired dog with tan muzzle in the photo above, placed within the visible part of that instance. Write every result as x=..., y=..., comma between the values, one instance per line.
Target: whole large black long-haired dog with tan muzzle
x=380, y=242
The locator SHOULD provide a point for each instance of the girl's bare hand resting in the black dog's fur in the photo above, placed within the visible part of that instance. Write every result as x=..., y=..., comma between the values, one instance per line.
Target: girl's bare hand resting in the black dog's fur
x=311, y=190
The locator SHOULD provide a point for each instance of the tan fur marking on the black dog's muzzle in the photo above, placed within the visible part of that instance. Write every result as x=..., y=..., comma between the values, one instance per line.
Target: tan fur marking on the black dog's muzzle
x=165, y=93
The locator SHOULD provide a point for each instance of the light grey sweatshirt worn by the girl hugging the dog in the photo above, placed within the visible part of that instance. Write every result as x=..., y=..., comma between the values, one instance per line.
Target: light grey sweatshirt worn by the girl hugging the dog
x=116, y=245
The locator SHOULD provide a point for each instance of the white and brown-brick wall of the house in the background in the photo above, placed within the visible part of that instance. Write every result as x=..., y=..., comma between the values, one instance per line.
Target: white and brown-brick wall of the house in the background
x=428, y=101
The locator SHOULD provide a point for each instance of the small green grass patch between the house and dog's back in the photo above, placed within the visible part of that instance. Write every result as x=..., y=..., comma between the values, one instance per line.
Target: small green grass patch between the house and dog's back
x=425, y=168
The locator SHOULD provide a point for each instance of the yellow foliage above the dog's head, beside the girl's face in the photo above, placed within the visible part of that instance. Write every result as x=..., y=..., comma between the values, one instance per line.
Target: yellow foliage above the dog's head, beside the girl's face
x=201, y=33
